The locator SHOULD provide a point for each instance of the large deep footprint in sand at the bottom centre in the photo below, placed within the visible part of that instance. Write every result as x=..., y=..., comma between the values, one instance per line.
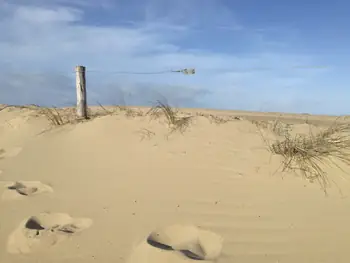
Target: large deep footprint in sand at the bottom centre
x=178, y=243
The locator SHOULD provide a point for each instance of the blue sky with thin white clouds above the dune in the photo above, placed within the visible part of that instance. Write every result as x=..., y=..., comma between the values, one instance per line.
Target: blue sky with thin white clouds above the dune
x=290, y=56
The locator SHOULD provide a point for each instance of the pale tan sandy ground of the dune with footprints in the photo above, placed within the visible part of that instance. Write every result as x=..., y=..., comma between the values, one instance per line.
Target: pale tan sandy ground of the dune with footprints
x=95, y=191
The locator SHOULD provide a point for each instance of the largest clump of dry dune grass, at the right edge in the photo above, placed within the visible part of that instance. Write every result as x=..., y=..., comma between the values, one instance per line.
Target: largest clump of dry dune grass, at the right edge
x=308, y=152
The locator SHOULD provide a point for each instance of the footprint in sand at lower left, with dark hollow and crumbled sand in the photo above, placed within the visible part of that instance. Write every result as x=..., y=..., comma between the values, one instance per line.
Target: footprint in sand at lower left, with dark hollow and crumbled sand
x=44, y=231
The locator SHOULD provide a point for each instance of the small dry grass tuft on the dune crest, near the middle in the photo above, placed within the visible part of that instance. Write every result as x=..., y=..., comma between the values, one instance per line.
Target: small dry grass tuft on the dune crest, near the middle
x=174, y=120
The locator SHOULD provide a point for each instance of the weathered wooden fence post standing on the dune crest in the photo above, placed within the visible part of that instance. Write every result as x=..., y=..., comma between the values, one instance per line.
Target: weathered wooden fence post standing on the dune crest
x=81, y=92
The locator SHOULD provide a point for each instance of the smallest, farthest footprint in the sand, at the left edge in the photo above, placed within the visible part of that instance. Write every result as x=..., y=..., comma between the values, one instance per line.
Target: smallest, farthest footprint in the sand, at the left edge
x=22, y=189
